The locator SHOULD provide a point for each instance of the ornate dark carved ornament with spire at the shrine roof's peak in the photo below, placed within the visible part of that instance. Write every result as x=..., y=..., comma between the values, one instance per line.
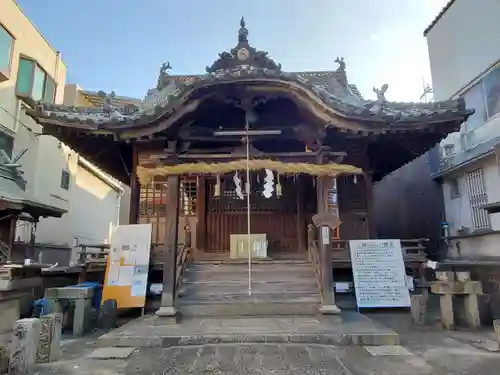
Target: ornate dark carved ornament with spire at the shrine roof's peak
x=242, y=54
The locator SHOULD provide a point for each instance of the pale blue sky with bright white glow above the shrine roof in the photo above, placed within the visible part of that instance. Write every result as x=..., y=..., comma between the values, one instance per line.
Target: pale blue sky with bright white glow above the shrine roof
x=119, y=45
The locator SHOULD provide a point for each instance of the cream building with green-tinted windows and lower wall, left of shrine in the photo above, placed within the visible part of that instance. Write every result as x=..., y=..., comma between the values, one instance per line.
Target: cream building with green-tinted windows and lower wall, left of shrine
x=76, y=202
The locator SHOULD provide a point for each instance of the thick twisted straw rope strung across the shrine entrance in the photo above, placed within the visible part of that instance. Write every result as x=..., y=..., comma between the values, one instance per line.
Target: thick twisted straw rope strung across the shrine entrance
x=147, y=174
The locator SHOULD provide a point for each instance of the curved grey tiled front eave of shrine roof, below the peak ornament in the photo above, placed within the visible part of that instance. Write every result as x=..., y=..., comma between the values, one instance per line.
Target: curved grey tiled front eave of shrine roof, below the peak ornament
x=332, y=94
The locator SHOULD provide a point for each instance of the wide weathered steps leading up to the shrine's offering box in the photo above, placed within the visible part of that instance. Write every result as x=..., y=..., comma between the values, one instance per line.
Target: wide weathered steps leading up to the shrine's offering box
x=221, y=289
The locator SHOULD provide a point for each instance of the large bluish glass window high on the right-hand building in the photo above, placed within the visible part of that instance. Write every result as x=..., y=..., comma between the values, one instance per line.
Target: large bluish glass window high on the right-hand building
x=484, y=97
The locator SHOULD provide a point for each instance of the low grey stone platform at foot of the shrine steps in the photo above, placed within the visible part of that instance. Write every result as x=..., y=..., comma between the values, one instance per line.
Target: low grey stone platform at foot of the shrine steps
x=347, y=328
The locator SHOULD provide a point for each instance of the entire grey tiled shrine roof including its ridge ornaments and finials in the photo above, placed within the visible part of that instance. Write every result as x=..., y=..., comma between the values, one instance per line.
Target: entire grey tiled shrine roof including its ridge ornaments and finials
x=245, y=64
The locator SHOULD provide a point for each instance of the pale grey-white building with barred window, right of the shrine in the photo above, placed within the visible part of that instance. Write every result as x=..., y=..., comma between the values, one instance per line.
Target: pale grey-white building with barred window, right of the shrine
x=464, y=53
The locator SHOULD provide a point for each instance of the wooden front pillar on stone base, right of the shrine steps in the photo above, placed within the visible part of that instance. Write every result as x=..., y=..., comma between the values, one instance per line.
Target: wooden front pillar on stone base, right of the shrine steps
x=325, y=248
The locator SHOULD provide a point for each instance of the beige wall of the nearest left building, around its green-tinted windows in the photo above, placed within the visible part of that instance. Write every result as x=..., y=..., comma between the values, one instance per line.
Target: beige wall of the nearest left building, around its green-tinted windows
x=45, y=157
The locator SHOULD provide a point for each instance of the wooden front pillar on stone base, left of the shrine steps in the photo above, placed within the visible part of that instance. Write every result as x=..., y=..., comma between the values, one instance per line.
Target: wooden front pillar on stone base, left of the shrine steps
x=170, y=256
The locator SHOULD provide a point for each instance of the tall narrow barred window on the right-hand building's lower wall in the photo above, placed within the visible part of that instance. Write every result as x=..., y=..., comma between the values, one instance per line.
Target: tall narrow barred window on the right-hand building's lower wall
x=477, y=198
